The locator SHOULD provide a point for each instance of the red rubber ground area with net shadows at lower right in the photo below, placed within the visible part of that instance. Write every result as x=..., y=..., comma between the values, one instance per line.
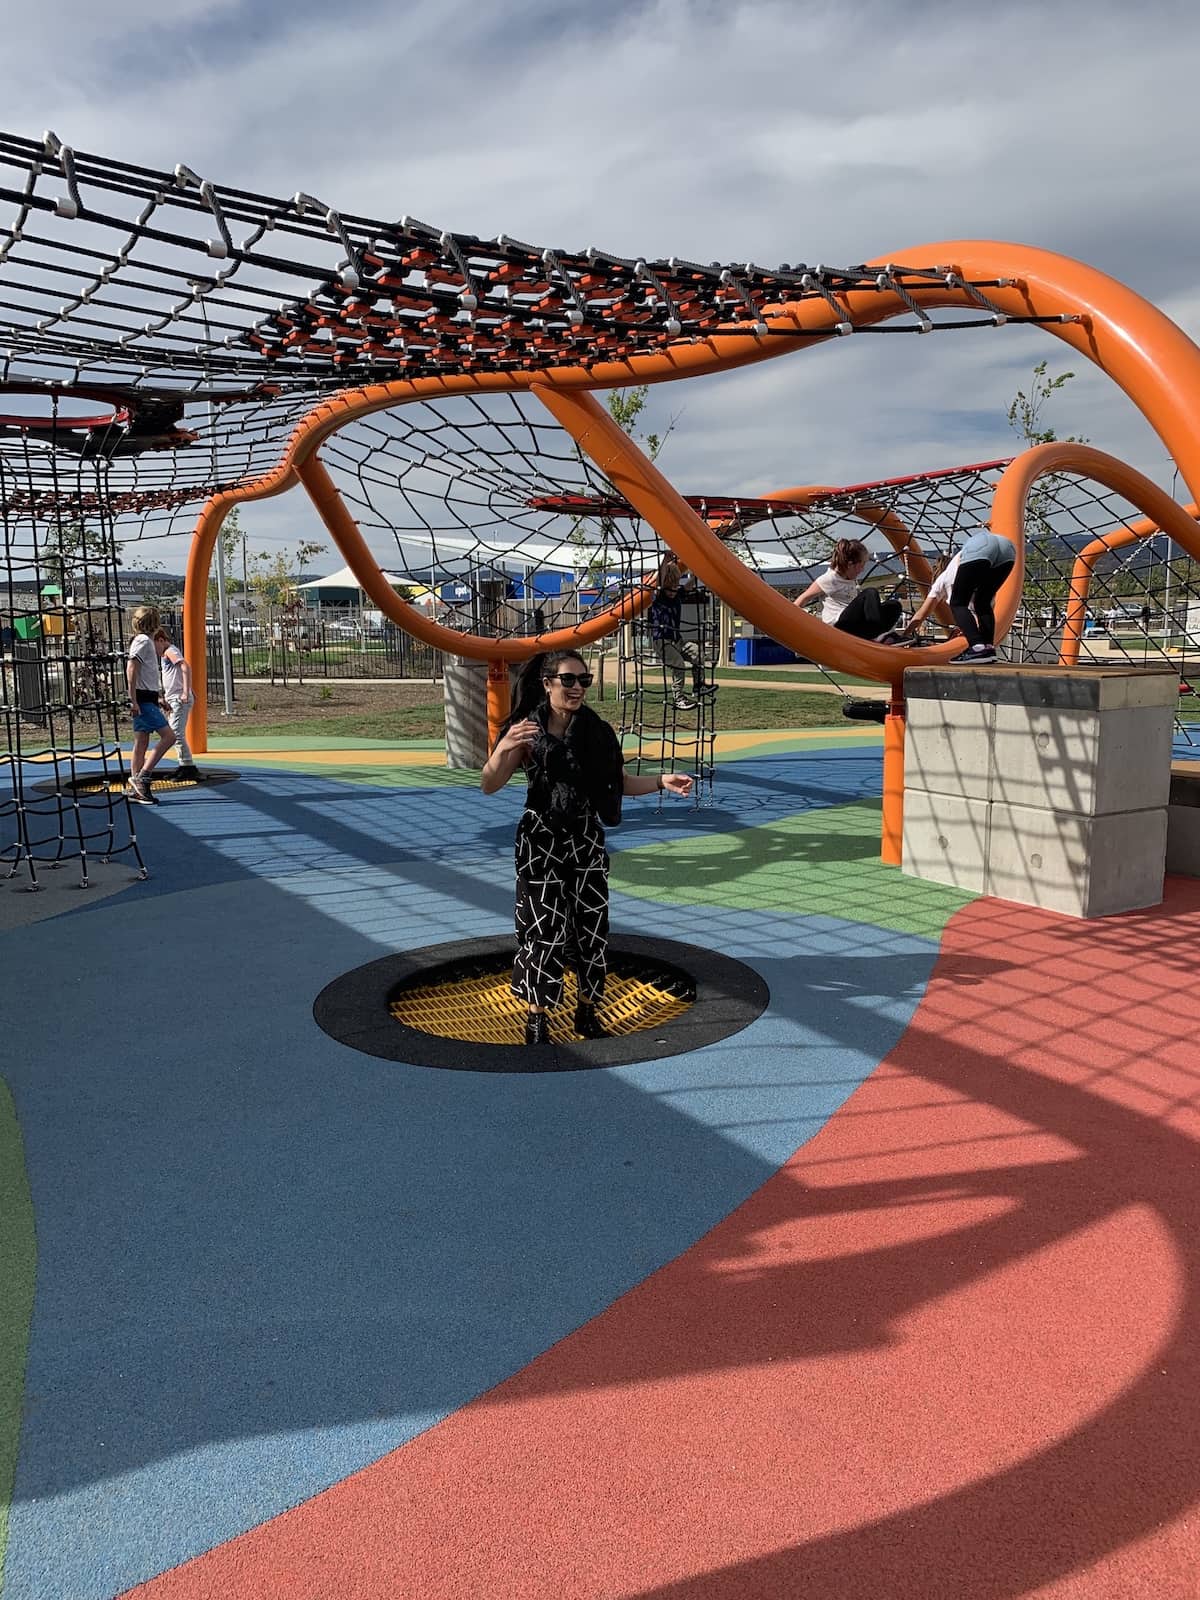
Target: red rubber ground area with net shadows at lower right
x=950, y=1351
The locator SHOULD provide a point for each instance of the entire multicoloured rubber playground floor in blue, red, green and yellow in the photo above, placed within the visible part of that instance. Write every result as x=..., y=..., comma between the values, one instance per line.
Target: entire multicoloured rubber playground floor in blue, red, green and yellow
x=895, y=1295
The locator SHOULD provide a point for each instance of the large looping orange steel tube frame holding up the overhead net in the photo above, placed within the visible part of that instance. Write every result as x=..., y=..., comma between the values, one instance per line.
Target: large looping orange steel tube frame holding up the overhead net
x=1142, y=350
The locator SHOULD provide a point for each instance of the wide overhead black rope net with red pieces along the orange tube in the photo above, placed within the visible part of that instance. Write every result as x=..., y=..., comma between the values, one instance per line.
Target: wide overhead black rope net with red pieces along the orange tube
x=215, y=319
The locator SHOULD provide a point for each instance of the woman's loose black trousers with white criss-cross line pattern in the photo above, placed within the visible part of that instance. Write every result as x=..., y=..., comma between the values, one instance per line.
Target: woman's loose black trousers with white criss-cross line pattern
x=562, y=911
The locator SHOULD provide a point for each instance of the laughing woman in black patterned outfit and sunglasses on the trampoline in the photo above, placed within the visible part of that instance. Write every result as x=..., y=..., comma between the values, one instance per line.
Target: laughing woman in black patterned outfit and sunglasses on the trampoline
x=577, y=780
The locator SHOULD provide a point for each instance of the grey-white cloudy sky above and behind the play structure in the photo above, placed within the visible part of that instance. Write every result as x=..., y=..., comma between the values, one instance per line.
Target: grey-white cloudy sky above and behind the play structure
x=756, y=130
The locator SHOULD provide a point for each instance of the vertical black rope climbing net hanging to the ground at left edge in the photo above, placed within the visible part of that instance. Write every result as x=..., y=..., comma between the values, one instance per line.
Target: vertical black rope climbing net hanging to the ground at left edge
x=62, y=655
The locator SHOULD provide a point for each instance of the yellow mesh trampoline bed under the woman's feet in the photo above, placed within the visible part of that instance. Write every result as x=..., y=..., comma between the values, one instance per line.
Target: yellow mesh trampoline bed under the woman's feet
x=481, y=1007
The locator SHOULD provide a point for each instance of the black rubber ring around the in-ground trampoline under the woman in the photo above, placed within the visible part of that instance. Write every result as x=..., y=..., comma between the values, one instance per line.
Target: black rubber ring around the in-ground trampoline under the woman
x=354, y=1010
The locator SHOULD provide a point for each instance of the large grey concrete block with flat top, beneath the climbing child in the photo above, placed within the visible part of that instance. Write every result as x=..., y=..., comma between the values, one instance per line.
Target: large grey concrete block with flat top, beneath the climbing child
x=1041, y=785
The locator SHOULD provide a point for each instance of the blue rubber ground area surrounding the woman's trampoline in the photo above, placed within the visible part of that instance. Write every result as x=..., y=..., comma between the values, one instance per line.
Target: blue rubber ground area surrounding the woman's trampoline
x=266, y=1260
